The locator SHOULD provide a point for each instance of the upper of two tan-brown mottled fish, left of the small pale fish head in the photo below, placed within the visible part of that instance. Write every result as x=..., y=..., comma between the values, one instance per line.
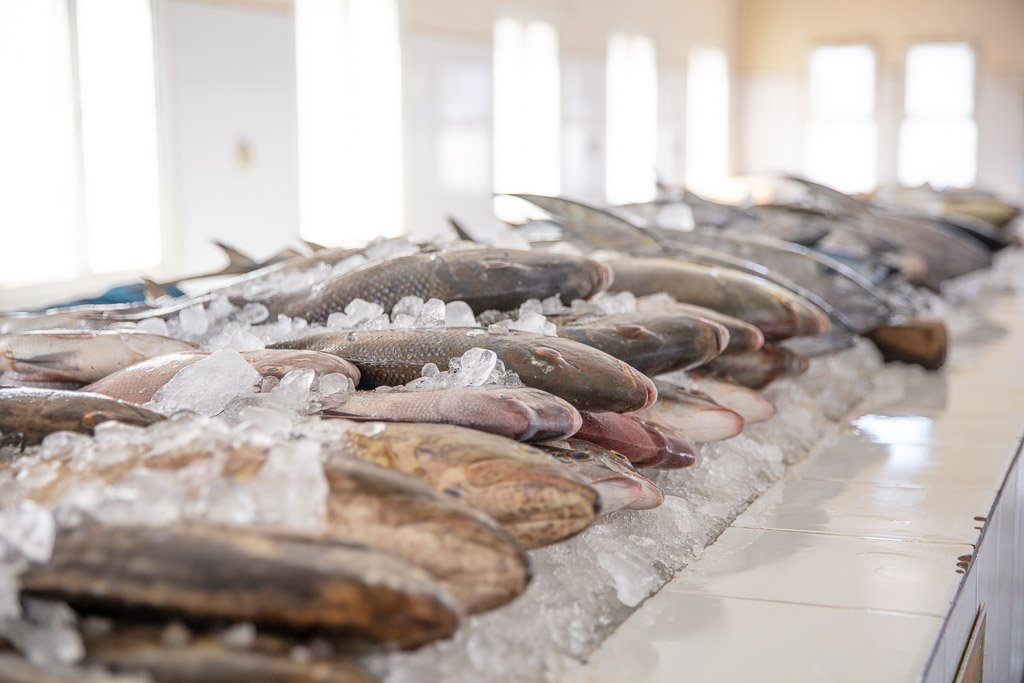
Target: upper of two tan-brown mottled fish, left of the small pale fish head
x=534, y=499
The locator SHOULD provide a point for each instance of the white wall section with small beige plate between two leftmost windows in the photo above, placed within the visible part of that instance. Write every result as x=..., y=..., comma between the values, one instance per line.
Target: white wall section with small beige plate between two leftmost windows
x=232, y=84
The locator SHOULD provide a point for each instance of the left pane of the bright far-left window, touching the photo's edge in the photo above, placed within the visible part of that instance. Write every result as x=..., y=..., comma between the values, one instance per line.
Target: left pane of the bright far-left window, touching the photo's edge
x=38, y=179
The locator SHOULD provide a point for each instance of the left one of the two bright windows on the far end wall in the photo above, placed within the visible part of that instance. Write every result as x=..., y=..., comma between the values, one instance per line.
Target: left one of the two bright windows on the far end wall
x=842, y=138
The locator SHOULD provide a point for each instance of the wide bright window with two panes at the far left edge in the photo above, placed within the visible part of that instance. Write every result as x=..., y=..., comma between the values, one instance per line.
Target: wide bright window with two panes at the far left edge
x=80, y=193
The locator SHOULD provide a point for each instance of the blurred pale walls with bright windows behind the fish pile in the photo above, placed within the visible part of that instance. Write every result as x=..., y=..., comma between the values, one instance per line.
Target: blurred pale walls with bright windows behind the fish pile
x=134, y=133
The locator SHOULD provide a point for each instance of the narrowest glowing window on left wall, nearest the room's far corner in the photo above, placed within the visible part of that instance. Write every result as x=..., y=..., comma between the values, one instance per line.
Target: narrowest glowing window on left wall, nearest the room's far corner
x=707, y=120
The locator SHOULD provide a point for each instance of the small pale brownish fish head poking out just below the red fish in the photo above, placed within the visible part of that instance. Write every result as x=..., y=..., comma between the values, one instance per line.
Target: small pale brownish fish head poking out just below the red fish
x=611, y=474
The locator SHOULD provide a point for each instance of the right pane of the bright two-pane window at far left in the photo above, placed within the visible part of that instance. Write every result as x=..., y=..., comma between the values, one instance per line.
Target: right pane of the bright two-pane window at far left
x=119, y=134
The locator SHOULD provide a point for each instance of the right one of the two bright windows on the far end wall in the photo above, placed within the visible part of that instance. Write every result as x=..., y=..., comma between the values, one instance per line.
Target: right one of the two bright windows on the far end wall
x=938, y=142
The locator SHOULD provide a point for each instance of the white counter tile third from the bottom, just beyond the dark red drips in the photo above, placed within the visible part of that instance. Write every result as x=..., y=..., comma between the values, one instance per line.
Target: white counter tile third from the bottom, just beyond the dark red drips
x=873, y=510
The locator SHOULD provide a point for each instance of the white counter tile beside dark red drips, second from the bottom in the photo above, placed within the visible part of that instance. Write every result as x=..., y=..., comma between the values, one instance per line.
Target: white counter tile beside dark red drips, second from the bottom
x=830, y=571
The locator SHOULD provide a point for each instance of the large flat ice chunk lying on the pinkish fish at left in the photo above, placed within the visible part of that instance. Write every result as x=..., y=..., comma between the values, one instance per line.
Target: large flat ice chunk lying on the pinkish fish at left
x=207, y=387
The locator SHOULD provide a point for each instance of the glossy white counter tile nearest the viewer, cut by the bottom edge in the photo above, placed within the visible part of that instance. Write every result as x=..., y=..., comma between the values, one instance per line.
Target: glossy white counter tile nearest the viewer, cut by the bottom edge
x=686, y=637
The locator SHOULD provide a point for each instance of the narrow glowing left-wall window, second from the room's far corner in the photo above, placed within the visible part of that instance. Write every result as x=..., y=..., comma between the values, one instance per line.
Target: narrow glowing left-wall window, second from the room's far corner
x=631, y=125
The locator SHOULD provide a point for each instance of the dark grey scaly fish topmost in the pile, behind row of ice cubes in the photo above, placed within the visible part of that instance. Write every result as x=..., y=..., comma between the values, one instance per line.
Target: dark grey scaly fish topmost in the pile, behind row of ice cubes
x=485, y=279
